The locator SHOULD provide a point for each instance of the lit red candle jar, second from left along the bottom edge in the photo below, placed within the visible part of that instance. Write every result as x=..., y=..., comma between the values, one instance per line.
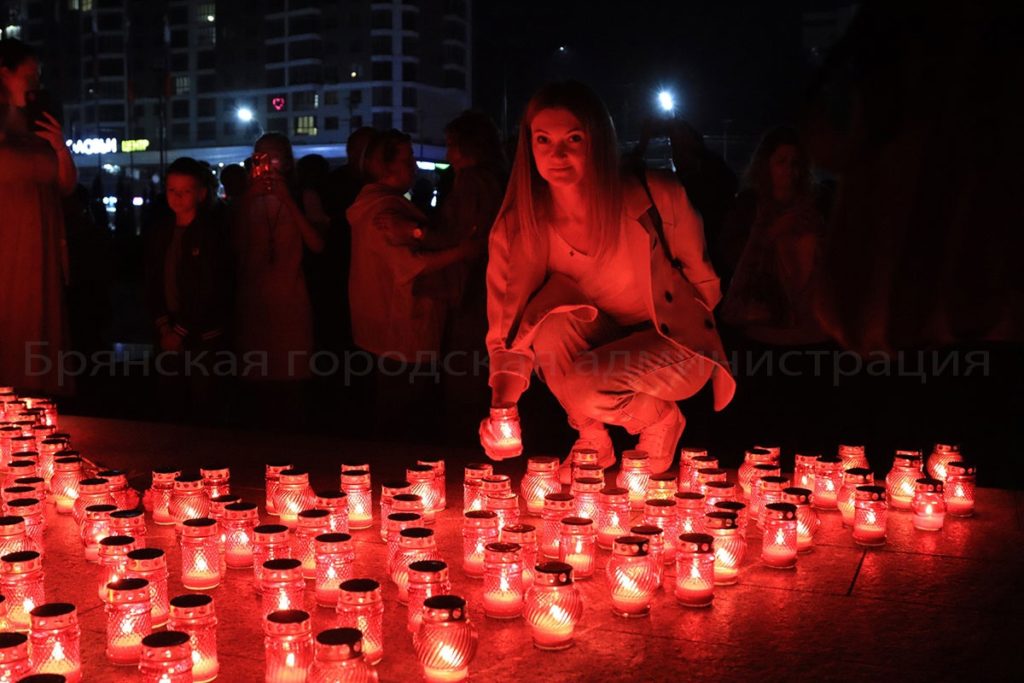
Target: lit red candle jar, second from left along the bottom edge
x=56, y=641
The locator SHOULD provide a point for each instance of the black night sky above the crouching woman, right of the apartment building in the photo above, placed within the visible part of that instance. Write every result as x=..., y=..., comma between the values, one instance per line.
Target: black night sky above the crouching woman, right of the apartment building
x=732, y=60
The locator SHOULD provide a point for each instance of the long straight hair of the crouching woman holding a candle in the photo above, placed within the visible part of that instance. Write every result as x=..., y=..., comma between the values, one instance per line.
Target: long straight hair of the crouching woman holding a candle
x=528, y=192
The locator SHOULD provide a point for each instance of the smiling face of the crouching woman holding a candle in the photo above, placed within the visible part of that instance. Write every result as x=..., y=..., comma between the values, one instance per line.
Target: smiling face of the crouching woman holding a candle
x=561, y=147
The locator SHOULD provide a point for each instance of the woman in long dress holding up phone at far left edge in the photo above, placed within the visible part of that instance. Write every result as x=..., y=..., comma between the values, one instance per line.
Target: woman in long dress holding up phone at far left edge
x=36, y=170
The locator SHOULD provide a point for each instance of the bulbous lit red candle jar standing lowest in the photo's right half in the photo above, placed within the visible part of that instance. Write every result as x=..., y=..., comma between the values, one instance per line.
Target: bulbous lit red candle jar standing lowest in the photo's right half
x=553, y=607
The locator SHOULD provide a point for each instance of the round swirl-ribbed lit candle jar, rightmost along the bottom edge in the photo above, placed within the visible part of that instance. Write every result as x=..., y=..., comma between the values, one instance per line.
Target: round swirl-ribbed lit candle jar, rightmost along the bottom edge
x=446, y=644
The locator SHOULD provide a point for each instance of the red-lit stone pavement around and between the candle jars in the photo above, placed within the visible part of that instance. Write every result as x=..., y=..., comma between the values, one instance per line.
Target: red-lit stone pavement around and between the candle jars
x=927, y=607
